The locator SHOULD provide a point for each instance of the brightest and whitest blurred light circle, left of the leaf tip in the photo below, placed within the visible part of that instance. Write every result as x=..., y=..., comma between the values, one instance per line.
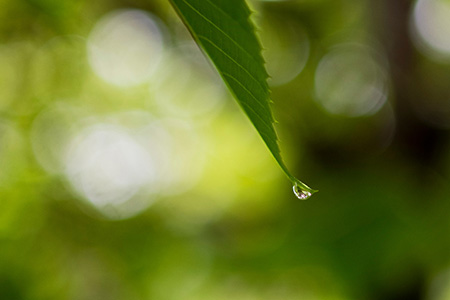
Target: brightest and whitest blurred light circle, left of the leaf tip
x=107, y=166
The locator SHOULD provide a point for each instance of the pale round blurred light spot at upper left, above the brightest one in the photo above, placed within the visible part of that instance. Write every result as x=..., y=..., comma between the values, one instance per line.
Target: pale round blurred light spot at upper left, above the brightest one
x=125, y=47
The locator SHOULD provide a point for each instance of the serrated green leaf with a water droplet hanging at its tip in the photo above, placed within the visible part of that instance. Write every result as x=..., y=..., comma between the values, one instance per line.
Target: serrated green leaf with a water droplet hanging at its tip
x=223, y=29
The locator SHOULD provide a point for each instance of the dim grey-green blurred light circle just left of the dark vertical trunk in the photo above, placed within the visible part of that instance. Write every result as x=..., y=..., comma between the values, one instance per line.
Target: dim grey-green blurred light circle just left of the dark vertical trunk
x=351, y=81
